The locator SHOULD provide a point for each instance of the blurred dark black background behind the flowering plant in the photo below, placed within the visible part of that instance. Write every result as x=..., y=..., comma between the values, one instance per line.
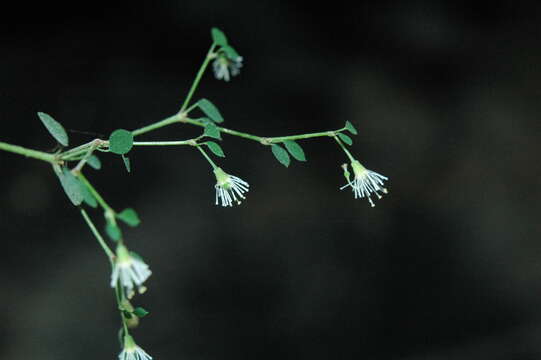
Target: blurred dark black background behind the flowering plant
x=445, y=95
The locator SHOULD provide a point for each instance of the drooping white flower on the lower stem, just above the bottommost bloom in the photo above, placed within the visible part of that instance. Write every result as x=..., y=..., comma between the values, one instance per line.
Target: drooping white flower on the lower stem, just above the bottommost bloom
x=130, y=270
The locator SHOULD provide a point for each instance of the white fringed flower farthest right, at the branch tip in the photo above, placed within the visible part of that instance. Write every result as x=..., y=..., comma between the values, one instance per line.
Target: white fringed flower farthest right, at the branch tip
x=365, y=183
